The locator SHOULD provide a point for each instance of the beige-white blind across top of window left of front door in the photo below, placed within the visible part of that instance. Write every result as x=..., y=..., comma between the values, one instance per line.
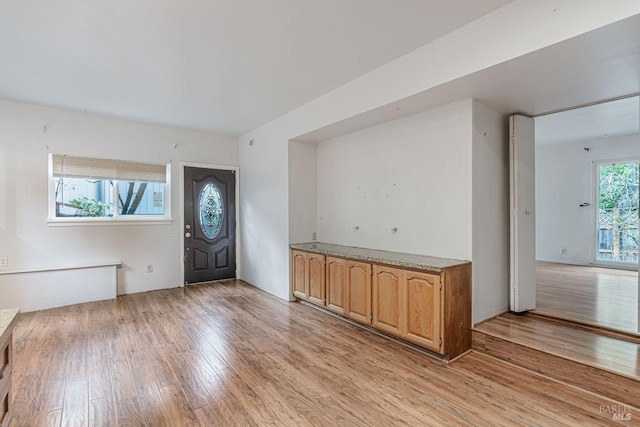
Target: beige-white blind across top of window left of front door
x=87, y=167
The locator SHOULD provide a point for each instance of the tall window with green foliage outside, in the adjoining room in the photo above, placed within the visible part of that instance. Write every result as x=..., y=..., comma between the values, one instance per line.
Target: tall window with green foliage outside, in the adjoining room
x=617, y=212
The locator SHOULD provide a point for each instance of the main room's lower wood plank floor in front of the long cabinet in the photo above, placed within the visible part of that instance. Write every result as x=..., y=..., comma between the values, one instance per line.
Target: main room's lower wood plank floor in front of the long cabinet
x=229, y=354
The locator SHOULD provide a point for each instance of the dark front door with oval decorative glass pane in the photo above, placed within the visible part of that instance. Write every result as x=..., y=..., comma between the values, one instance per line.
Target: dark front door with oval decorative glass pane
x=210, y=224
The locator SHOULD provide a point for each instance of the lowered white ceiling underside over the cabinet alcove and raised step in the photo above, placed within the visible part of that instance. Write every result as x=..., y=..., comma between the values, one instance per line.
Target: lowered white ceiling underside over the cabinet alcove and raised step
x=598, y=65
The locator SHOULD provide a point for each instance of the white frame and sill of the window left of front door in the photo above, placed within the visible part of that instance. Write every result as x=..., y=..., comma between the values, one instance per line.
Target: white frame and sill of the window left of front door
x=116, y=219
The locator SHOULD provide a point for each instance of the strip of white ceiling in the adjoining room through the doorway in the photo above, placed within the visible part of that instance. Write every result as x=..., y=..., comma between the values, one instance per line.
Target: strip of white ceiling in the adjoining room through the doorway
x=608, y=120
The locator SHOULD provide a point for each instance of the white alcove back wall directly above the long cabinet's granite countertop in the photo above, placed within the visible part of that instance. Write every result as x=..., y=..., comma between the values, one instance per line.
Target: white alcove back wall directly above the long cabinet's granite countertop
x=413, y=174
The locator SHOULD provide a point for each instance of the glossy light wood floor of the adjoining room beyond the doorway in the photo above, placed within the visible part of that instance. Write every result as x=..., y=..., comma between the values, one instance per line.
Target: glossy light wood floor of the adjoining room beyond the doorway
x=598, y=296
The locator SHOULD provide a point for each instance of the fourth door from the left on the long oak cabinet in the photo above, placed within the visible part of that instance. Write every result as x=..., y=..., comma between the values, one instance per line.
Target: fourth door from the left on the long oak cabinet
x=359, y=292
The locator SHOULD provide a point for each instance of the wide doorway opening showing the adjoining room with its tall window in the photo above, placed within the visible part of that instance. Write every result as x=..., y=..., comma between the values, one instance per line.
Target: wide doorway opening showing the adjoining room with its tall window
x=586, y=196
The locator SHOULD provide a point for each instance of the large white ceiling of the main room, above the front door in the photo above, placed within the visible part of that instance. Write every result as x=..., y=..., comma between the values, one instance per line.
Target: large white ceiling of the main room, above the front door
x=220, y=65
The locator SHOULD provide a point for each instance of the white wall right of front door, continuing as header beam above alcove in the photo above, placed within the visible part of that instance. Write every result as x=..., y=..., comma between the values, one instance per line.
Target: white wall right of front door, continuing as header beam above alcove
x=481, y=44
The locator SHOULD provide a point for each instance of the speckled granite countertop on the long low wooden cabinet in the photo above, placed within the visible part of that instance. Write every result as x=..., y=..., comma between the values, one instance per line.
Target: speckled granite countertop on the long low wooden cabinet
x=396, y=259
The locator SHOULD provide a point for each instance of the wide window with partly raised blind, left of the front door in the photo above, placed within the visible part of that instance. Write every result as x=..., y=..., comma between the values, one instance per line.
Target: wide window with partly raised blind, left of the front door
x=97, y=190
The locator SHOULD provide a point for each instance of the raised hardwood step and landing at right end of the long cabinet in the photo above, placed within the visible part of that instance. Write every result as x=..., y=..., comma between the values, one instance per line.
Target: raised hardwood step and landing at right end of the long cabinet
x=581, y=357
